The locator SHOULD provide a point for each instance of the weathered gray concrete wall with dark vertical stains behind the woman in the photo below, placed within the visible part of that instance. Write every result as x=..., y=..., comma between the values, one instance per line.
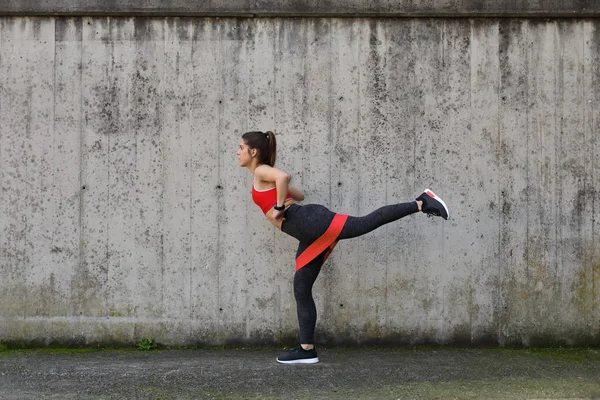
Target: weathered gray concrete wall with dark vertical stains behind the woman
x=124, y=214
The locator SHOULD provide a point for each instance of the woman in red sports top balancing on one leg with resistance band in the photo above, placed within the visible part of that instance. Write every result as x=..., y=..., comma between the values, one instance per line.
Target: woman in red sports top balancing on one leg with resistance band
x=316, y=228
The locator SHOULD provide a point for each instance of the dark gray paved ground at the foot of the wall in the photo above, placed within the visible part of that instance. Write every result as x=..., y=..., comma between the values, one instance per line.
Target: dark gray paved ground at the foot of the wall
x=342, y=374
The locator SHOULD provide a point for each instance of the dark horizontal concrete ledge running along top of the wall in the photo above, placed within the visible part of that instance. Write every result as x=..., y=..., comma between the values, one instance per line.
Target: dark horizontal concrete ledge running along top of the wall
x=307, y=8
